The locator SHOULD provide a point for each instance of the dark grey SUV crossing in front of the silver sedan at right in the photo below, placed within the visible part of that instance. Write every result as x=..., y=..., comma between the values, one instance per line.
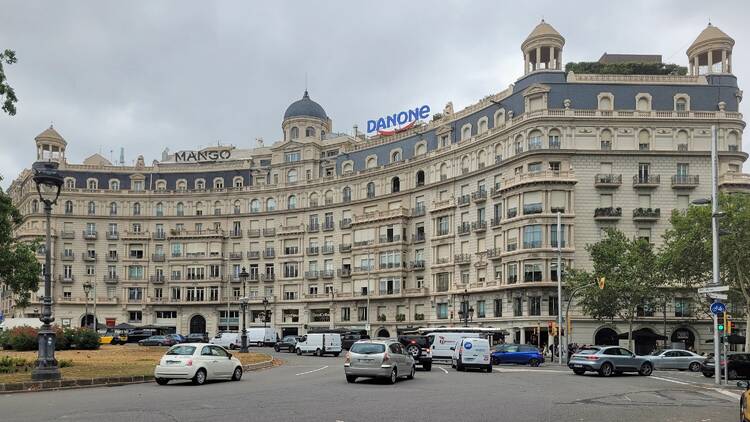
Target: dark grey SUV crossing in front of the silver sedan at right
x=608, y=360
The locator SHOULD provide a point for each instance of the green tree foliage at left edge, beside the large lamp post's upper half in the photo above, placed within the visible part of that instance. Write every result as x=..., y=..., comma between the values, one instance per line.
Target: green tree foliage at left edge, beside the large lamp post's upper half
x=19, y=268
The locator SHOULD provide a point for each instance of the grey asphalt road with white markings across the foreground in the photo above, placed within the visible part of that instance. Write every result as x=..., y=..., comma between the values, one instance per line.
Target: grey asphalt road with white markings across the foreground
x=314, y=389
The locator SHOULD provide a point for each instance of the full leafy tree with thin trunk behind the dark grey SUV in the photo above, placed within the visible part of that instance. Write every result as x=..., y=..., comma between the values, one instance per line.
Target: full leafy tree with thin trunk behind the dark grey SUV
x=632, y=280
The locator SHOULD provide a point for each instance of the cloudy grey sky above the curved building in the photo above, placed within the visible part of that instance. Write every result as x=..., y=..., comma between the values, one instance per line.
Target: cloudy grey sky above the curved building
x=145, y=75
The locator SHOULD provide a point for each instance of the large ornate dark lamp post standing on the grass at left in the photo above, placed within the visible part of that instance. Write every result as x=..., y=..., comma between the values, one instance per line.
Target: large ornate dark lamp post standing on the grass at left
x=48, y=184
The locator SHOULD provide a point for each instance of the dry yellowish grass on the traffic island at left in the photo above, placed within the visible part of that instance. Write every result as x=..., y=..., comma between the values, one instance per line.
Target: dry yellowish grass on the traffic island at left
x=109, y=361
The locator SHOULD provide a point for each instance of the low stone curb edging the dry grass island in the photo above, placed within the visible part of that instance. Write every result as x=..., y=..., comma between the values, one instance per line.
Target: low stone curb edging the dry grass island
x=64, y=384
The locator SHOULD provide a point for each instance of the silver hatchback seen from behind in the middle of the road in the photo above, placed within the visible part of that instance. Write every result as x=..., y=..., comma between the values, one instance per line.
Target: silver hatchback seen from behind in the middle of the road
x=378, y=359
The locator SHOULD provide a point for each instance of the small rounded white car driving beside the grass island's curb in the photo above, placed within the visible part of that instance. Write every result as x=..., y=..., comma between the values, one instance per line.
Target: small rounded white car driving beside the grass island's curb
x=197, y=362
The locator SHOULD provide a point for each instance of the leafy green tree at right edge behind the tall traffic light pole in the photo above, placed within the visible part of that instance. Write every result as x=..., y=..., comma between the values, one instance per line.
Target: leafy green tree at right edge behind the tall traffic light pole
x=687, y=255
